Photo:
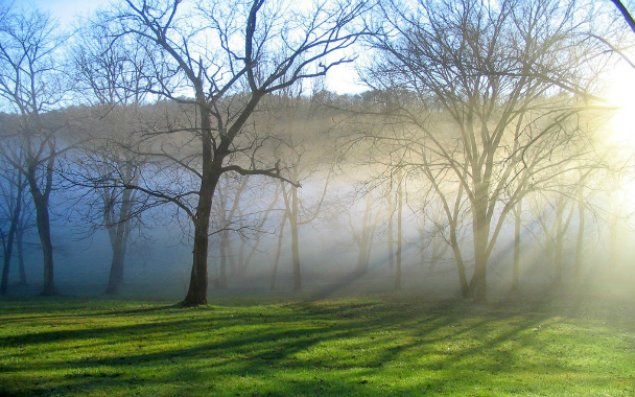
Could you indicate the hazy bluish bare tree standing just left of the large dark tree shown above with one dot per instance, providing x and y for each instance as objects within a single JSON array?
[{"x": 111, "y": 76}]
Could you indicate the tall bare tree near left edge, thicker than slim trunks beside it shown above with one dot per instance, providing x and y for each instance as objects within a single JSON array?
[{"x": 30, "y": 84}]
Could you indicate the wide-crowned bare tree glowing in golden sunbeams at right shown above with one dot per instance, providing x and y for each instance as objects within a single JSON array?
[{"x": 507, "y": 81}]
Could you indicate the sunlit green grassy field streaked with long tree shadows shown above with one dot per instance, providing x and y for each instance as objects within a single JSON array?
[{"x": 348, "y": 347}]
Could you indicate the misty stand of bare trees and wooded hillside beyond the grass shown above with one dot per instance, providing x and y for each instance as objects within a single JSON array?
[{"x": 481, "y": 157}]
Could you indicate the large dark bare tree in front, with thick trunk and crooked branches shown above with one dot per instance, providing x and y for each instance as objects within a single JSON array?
[{"x": 229, "y": 57}]
